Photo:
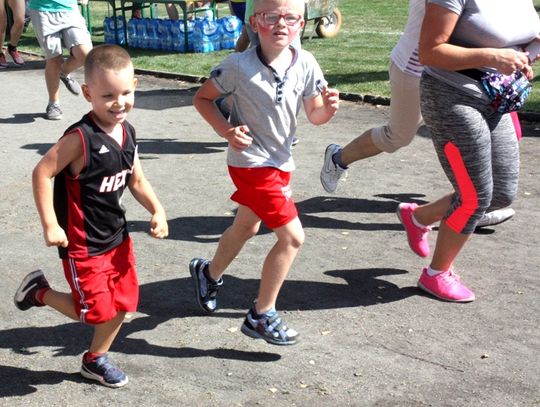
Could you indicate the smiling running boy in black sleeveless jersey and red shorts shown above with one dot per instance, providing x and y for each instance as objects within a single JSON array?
[{"x": 92, "y": 164}]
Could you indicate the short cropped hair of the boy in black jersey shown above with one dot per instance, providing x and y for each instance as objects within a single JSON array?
[{"x": 106, "y": 57}]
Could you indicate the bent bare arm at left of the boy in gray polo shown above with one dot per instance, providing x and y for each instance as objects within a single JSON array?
[{"x": 203, "y": 101}]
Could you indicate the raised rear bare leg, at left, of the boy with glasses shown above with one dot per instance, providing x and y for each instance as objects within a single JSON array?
[{"x": 245, "y": 226}]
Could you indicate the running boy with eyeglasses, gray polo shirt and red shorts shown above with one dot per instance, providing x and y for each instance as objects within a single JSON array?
[{"x": 268, "y": 84}]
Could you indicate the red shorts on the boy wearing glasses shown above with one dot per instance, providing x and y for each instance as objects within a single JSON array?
[{"x": 267, "y": 192}]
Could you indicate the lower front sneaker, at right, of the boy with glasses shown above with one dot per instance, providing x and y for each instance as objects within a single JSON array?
[{"x": 270, "y": 327}]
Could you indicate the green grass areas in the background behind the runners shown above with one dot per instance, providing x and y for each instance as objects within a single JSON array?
[{"x": 355, "y": 61}]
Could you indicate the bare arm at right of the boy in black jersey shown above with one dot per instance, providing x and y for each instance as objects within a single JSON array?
[{"x": 145, "y": 195}]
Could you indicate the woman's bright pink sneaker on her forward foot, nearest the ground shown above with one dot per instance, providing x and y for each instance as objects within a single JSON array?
[{"x": 445, "y": 286}]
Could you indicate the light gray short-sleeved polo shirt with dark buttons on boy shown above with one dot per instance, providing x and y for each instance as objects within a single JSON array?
[{"x": 268, "y": 103}]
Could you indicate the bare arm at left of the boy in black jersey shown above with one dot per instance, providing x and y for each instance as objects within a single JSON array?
[{"x": 66, "y": 152}]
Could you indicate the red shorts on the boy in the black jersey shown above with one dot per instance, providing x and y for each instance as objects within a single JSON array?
[{"x": 103, "y": 285}]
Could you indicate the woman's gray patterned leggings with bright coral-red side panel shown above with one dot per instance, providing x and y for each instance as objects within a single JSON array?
[{"x": 477, "y": 149}]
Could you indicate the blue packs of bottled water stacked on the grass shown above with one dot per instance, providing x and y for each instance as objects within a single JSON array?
[{"x": 204, "y": 34}]
